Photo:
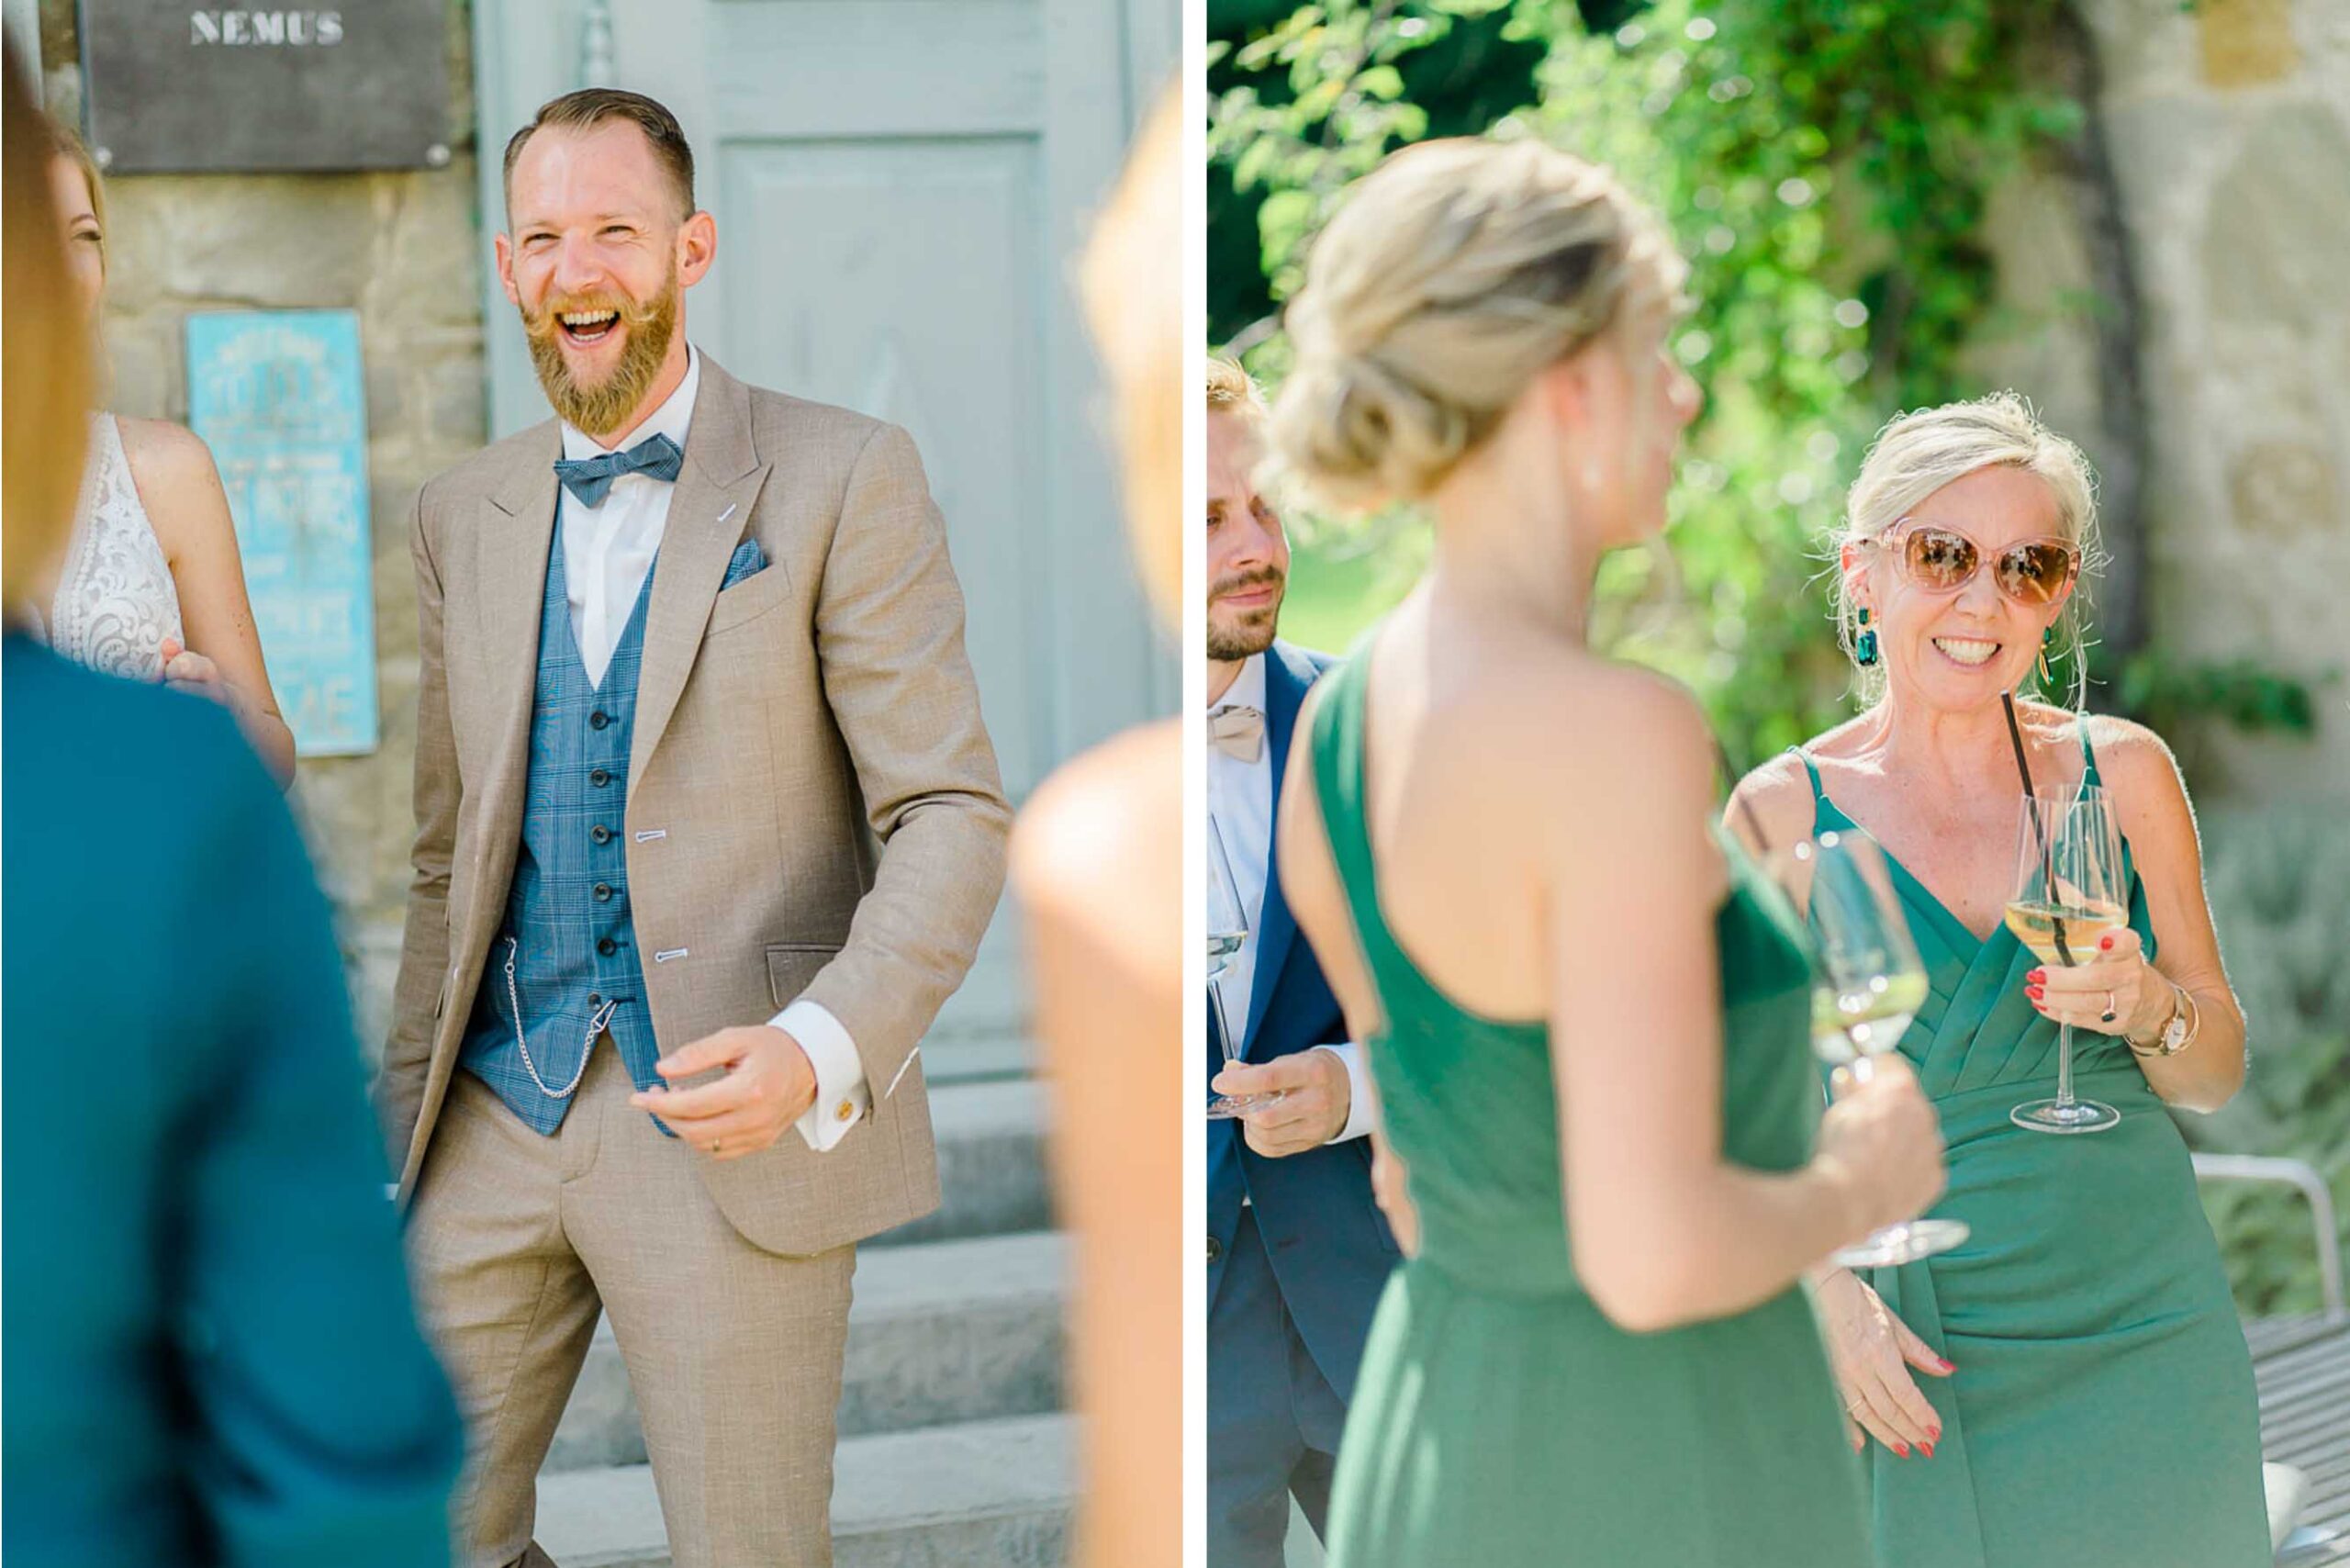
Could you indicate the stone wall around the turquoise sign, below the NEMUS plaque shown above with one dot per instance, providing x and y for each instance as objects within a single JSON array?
[{"x": 403, "y": 250}]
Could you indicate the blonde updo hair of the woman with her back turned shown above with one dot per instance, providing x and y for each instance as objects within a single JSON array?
[{"x": 1451, "y": 279}]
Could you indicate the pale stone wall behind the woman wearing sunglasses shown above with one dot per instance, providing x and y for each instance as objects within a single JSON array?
[{"x": 2229, "y": 130}]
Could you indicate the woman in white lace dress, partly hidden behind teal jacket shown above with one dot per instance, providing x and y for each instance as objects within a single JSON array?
[{"x": 152, "y": 587}]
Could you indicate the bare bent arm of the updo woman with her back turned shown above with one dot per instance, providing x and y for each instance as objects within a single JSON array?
[{"x": 1667, "y": 1231}]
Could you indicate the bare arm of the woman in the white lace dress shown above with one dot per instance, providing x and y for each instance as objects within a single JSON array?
[{"x": 184, "y": 502}]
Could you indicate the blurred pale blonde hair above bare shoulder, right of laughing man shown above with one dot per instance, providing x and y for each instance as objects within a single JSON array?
[{"x": 1132, "y": 281}]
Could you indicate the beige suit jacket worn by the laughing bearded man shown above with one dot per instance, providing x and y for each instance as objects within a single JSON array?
[{"x": 812, "y": 800}]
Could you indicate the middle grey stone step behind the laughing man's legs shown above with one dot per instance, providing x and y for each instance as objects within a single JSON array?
[{"x": 944, "y": 1332}]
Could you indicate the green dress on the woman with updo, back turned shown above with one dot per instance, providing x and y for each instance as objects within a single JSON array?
[{"x": 1500, "y": 1419}]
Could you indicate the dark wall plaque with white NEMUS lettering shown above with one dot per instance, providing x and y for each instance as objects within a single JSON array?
[{"x": 356, "y": 86}]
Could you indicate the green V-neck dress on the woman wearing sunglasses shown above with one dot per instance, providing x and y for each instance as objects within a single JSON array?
[{"x": 2102, "y": 1412}]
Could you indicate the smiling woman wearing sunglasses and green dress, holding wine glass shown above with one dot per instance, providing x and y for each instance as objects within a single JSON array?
[{"x": 2072, "y": 1386}]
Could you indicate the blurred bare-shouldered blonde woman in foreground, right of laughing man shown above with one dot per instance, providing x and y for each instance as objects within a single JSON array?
[{"x": 1096, "y": 864}]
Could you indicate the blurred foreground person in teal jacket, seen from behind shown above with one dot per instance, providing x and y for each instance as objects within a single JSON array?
[{"x": 210, "y": 1346}]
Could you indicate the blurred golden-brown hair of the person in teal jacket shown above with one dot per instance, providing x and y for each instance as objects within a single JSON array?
[{"x": 43, "y": 363}]
